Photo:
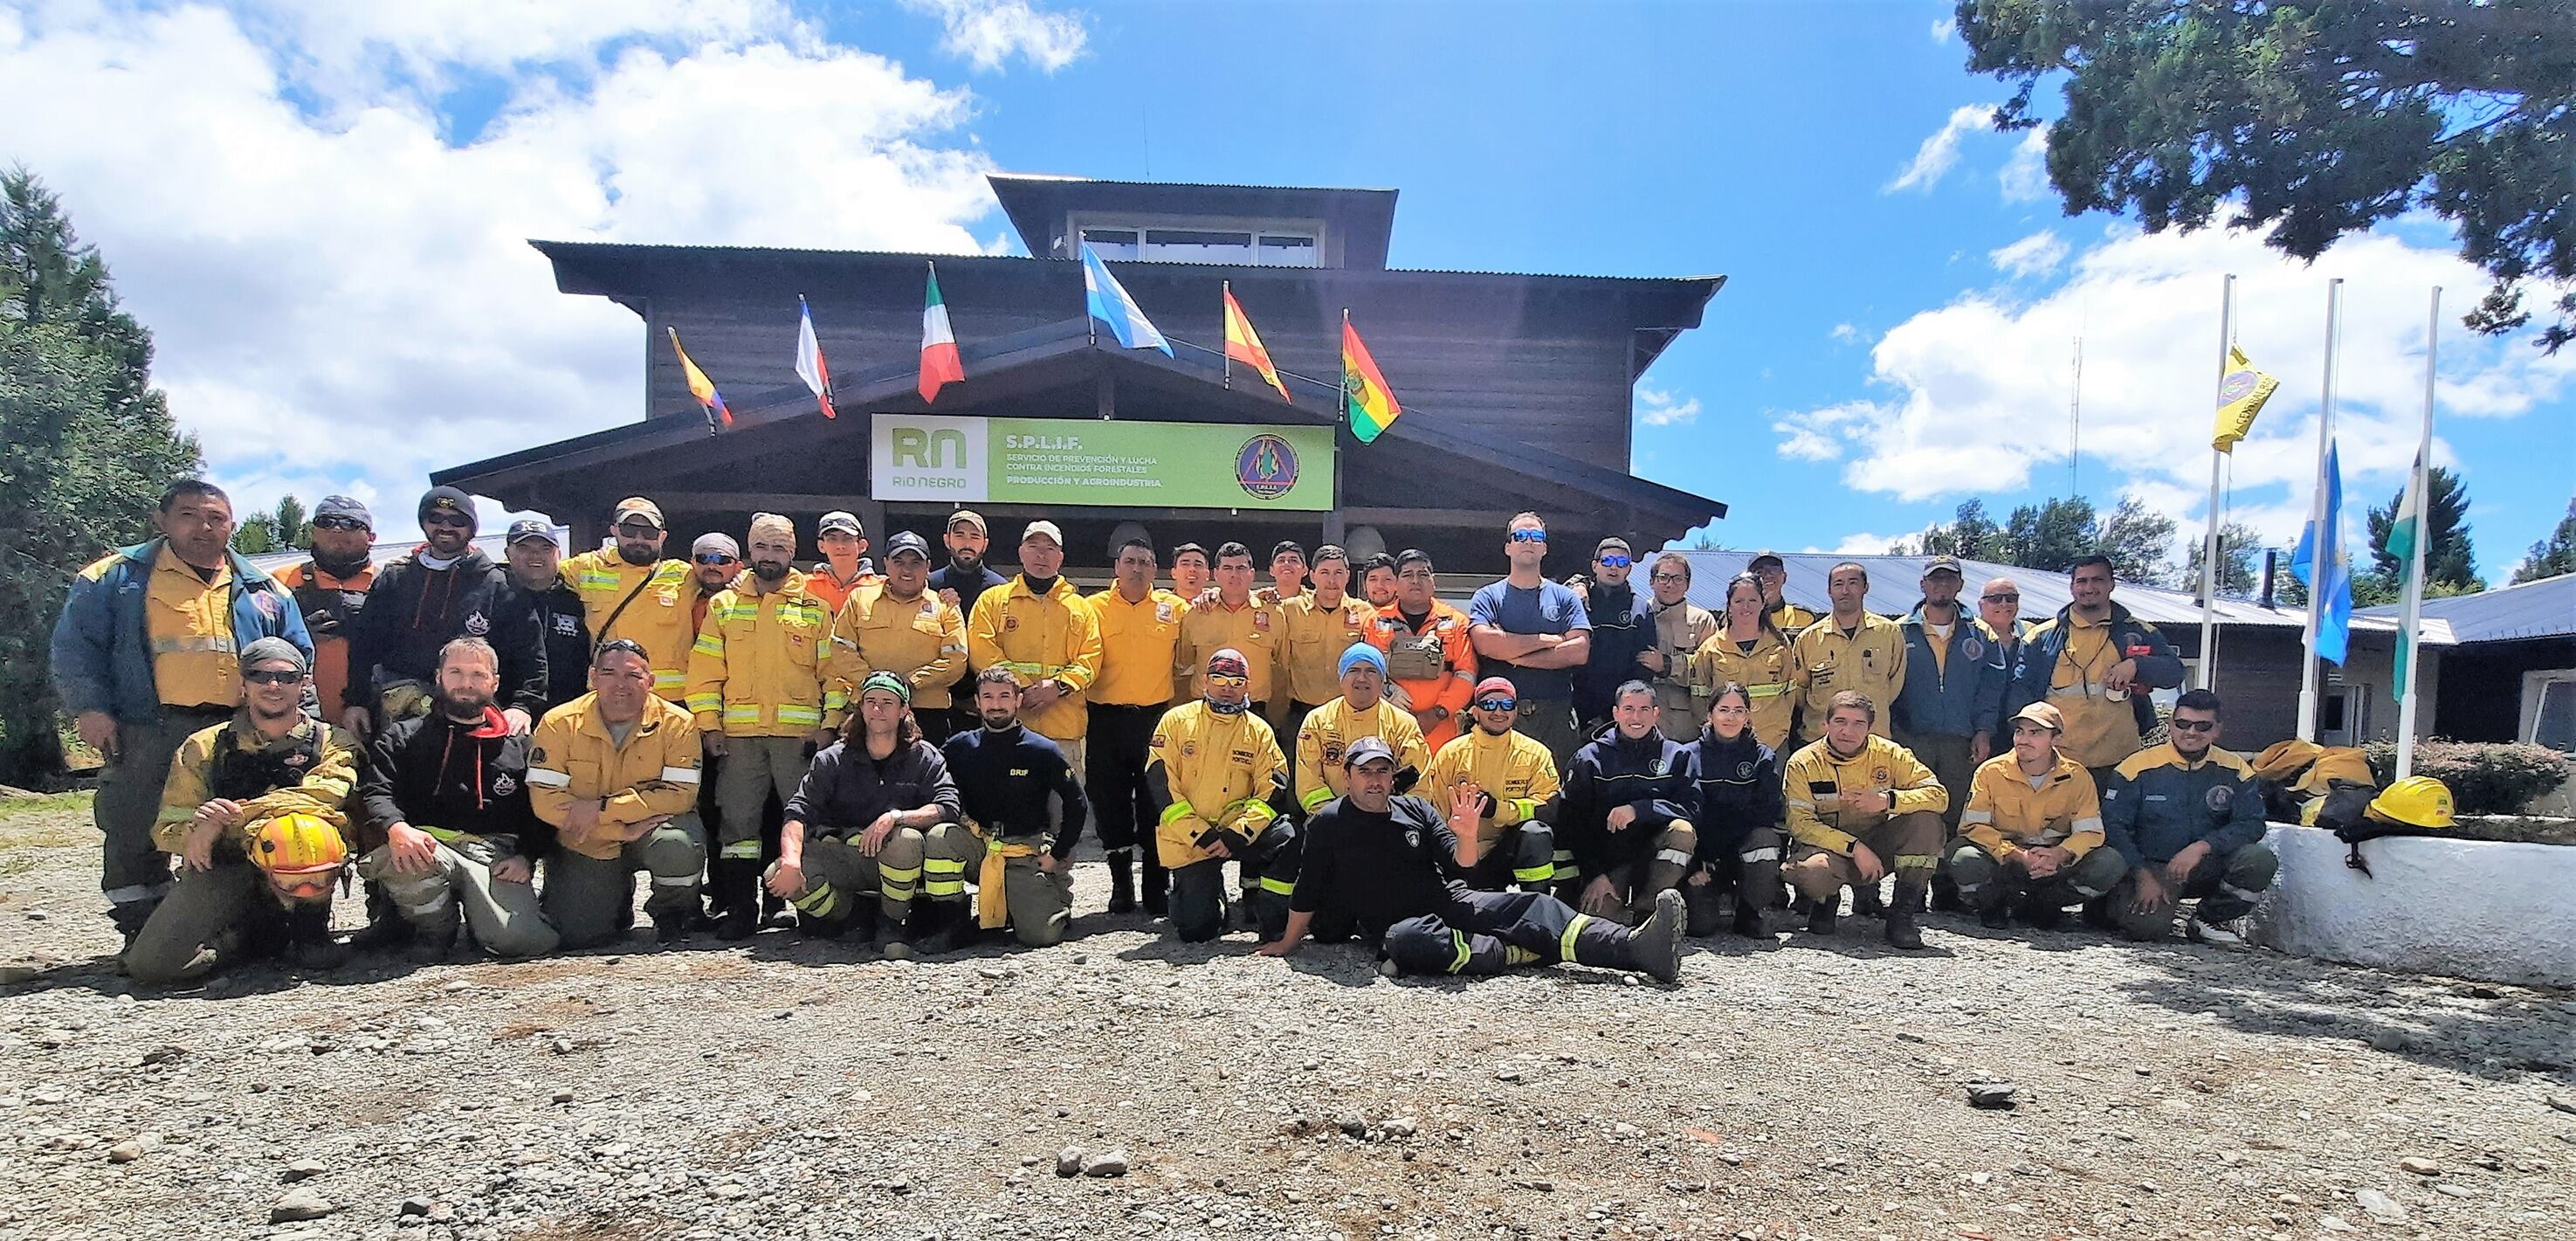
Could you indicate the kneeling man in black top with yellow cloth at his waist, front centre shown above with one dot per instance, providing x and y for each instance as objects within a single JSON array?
[{"x": 1024, "y": 815}]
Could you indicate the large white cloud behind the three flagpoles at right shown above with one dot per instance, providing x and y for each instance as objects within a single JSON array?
[{"x": 1977, "y": 390}]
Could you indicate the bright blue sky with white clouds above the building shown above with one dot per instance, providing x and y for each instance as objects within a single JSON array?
[{"x": 323, "y": 212}]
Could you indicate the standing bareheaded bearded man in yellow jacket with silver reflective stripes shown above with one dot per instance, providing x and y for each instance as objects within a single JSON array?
[{"x": 764, "y": 704}]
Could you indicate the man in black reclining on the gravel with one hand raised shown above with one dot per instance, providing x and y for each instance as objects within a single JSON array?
[{"x": 1395, "y": 872}]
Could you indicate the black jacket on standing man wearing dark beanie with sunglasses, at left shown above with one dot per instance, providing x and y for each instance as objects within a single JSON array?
[{"x": 413, "y": 611}]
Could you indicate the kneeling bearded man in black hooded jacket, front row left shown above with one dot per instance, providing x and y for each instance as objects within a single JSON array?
[{"x": 447, "y": 823}]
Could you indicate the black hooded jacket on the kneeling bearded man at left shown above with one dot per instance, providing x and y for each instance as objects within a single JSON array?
[{"x": 439, "y": 774}]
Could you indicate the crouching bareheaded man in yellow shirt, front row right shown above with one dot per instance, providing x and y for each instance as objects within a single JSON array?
[{"x": 1861, "y": 807}]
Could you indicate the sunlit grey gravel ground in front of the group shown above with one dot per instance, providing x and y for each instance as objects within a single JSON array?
[{"x": 815, "y": 1093}]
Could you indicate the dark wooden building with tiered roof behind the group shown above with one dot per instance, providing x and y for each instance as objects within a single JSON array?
[{"x": 1519, "y": 390}]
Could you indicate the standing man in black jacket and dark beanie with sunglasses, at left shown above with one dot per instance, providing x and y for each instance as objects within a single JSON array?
[{"x": 426, "y": 599}]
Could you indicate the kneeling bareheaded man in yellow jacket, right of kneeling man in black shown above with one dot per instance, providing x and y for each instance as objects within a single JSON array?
[{"x": 617, "y": 774}]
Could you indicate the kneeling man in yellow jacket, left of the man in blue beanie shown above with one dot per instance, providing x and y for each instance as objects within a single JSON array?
[{"x": 1222, "y": 787}]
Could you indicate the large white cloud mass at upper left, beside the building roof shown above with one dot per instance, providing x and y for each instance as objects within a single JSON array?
[{"x": 344, "y": 295}]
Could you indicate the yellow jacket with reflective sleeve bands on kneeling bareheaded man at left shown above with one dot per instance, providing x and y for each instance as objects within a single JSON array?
[{"x": 573, "y": 758}]
